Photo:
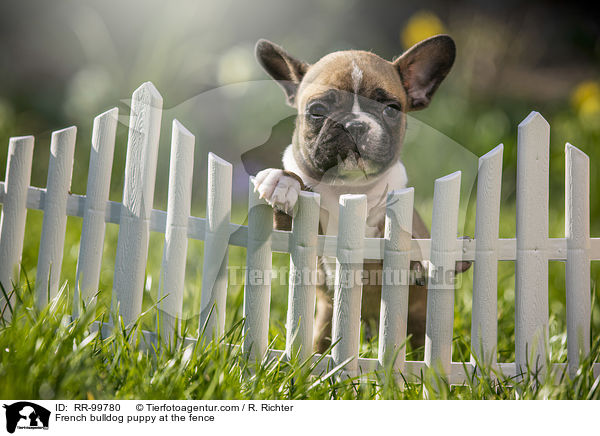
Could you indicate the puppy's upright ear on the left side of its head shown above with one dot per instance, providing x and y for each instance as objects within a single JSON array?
[{"x": 286, "y": 70}]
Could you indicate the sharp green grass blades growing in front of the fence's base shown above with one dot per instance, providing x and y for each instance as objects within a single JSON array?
[{"x": 47, "y": 355}]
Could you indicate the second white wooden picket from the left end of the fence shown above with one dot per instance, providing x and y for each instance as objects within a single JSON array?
[{"x": 54, "y": 224}]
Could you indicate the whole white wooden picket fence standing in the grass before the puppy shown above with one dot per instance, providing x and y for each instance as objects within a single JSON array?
[{"x": 531, "y": 249}]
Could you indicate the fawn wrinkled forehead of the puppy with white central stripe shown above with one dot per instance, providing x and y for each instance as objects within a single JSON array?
[{"x": 355, "y": 72}]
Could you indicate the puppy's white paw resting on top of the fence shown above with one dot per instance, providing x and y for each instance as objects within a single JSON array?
[{"x": 278, "y": 189}]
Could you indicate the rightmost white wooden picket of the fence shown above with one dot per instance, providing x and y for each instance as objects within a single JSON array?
[{"x": 577, "y": 232}]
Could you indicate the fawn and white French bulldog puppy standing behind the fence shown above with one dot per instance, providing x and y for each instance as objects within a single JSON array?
[{"x": 349, "y": 131}]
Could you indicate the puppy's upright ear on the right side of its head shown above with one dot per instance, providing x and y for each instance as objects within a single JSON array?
[{"x": 423, "y": 67}]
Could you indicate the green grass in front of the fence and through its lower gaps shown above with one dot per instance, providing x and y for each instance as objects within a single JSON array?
[{"x": 47, "y": 355}]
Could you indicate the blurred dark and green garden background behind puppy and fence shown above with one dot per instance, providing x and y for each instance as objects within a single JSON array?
[{"x": 63, "y": 62}]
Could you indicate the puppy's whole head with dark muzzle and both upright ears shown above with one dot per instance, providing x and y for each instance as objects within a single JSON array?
[{"x": 352, "y": 104}]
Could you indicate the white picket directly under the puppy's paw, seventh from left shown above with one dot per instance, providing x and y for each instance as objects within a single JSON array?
[{"x": 257, "y": 290}]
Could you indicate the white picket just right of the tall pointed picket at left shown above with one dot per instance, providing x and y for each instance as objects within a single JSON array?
[{"x": 172, "y": 274}]
